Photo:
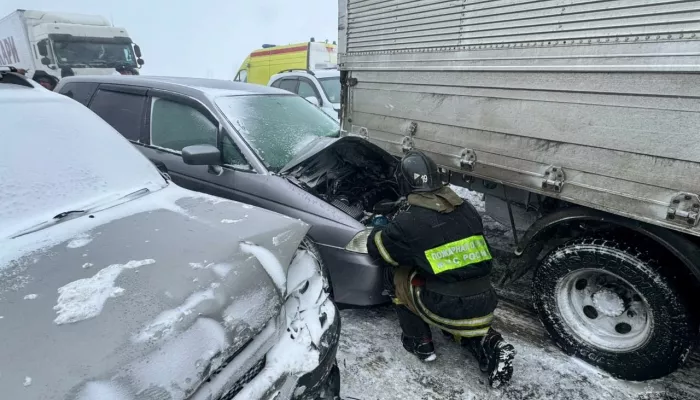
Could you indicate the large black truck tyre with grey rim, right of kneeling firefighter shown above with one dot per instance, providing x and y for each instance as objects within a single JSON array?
[{"x": 615, "y": 307}]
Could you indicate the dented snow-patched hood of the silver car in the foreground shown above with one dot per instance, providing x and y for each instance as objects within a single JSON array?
[{"x": 148, "y": 298}]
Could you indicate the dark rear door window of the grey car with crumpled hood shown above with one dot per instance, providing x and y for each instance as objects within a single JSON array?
[{"x": 124, "y": 111}]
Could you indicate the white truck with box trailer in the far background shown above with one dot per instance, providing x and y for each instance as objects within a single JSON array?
[{"x": 63, "y": 44}]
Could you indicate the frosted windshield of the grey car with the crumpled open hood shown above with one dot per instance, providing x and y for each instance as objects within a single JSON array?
[{"x": 277, "y": 127}]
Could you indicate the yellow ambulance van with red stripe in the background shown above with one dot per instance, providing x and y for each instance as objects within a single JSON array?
[{"x": 261, "y": 64}]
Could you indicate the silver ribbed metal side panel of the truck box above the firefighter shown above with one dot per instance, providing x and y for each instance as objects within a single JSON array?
[{"x": 607, "y": 91}]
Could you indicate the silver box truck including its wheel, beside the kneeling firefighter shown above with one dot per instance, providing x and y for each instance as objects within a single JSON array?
[{"x": 579, "y": 121}]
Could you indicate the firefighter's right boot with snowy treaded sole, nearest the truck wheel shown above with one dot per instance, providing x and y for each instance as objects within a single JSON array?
[{"x": 495, "y": 357}]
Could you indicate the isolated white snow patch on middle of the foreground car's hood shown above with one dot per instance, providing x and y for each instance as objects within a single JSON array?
[{"x": 85, "y": 298}]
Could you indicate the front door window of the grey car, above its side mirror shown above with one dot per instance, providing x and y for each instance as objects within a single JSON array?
[{"x": 175, "y": 126}]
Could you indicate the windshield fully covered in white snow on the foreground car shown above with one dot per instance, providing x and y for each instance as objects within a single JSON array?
[{"x": 57, "y": 156}]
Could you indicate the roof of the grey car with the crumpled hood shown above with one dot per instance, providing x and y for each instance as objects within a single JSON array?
[{"x": 192, "y": 86}]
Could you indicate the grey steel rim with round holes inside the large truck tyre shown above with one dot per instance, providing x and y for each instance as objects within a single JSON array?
[{"x": 604, "y": 310}]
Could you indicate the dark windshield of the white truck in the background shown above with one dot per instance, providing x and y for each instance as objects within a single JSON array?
[{"x": 93, "y": 54}]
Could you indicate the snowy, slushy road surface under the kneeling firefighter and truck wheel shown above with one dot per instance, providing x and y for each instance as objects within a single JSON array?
[{"x": 374, "y": 365}]
